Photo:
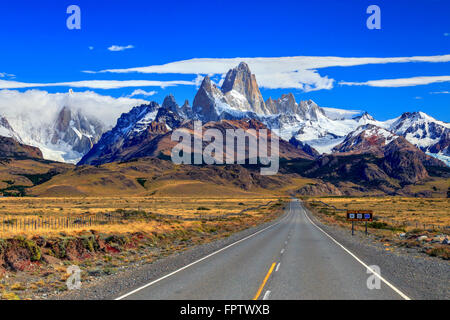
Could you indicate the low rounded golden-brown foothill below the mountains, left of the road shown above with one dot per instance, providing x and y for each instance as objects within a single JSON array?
[{"x": 148, "y": 176}]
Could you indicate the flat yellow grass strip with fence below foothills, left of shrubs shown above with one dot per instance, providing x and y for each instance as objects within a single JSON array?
[{"x": 20, "y": 210}]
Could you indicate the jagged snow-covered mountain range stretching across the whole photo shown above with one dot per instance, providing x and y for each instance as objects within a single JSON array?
[{"x": 71, "y": 135}]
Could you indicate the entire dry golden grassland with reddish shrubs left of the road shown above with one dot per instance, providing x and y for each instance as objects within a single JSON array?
[{"x": 137, "y": 238}]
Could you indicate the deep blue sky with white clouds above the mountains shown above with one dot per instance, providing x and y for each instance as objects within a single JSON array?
[{"x": 37, "y": 47}]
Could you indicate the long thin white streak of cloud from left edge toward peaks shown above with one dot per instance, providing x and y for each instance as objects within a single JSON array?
[{"x": 95, "y": 84}]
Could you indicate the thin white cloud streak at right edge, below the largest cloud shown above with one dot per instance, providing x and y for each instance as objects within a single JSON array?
[{"x": 402, "y": 82}]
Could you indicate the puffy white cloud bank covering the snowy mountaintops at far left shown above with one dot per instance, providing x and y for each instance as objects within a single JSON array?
[{"x": 42, "y": 106}]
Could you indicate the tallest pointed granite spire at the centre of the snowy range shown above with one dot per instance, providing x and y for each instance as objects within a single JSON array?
[{"x": 242, "y": 91}]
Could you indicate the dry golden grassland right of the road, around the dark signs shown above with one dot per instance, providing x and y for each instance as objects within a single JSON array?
[{"x": 414, "y": 223}]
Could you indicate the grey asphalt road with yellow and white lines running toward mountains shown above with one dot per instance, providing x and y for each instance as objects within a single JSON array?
[{"x": 292, "y": 259}]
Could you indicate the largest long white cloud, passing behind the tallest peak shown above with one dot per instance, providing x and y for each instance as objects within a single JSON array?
[{"x": 283, "y": 72}]
